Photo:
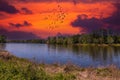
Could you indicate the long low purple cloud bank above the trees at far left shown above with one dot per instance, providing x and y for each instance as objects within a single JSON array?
[{"x": 17, "y": 35}]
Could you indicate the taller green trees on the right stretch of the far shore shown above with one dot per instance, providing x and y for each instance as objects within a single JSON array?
[{"x": 102, "y": 36}]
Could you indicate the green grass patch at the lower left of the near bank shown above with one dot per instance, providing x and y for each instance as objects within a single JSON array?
[{"x": 21, "y": 69}]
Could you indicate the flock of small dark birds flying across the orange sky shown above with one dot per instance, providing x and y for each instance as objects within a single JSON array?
[{"x": 57, "y": 16}]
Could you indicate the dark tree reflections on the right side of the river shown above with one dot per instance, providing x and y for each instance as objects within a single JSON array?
[{"x": 100, "y": 55}]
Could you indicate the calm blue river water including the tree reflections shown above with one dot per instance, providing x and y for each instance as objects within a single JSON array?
[{"x": 81, "y": 56}]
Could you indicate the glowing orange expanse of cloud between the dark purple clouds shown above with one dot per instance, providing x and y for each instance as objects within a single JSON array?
[{"x": 46, "y": 18}]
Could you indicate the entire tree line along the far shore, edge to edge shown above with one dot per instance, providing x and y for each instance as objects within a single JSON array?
[{"x": 102, "y": 36}]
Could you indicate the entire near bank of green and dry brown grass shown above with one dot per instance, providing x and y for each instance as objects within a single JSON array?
[{"x": 13, "y": 68}]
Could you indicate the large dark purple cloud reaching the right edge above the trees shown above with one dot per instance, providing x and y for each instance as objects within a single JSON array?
[{"x": 91, "y": 24}]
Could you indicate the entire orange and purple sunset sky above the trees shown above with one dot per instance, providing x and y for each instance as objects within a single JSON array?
[{"x": 31, "y": 19}]
